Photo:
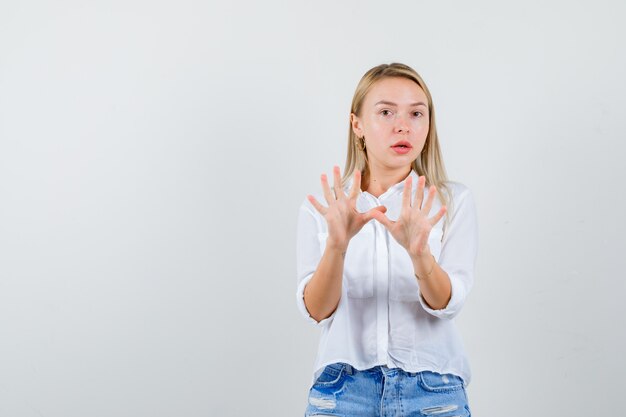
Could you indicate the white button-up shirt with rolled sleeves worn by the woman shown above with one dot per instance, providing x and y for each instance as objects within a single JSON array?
[{"x": 381, "y": 318}]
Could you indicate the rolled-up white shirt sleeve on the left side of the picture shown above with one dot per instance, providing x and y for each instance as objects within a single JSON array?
[{"x": 308, "y": 255}]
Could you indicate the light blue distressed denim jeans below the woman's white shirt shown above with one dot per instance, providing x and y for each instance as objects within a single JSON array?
[{"x": 342, "y": 390}]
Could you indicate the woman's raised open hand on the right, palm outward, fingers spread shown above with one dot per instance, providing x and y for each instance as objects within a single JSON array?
[{"x": 413, "y": 226}]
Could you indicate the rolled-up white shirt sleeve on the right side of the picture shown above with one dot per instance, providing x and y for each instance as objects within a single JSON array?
[{"x": 458, "y": 254}]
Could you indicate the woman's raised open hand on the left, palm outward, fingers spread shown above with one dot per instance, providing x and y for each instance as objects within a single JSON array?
[{"x": 342, "y": 217}]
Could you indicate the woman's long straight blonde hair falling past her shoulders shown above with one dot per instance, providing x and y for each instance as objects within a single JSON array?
[{"x": 430, "y": 161}]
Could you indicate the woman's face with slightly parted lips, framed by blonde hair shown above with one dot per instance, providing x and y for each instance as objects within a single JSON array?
[{"x": 394, "y": 122}]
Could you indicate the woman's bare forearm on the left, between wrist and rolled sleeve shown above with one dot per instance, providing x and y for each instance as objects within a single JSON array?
[{"x": 322, "y": 293}]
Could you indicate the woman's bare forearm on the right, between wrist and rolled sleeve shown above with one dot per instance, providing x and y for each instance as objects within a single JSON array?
[{"x": 435, "y": 286}]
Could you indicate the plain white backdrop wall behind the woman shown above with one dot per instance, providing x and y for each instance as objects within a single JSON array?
[{"x": 153, "y": 156}]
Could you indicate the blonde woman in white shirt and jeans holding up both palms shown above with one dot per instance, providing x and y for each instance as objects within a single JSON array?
[{"x": 386, "y": 260}]
